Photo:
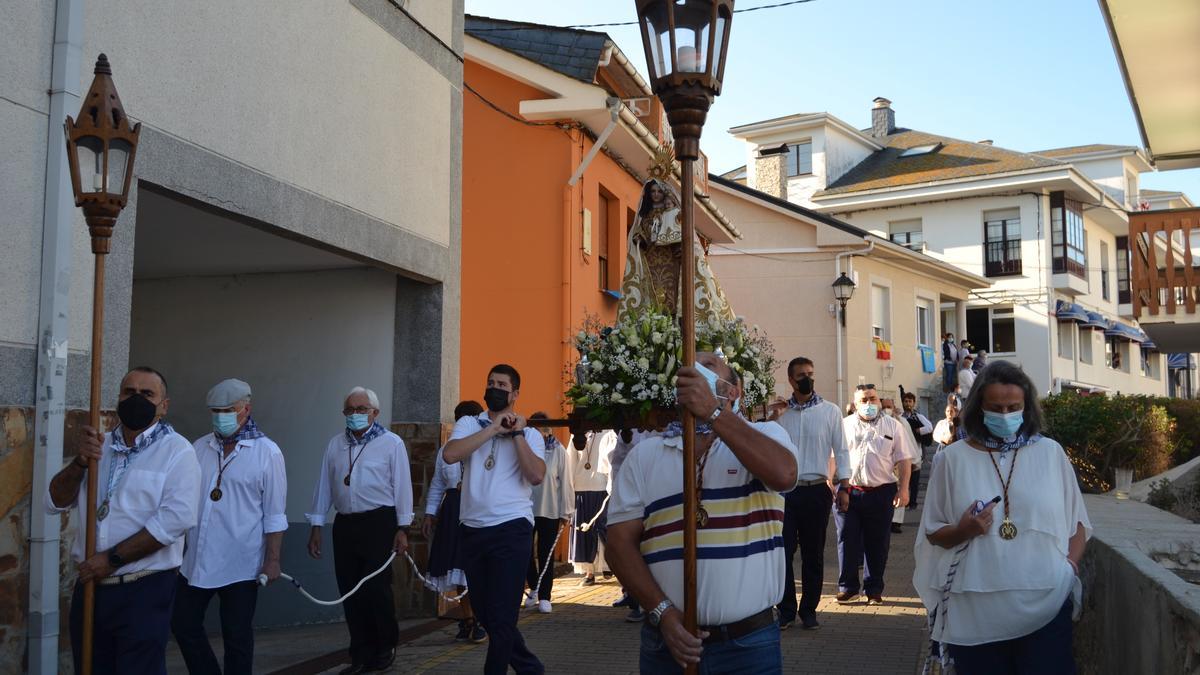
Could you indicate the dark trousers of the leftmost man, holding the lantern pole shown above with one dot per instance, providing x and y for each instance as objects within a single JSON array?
[{"x": 130, "y": 626}]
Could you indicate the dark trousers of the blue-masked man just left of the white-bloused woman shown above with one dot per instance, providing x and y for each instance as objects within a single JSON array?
[{"x": 865, "y": 531}]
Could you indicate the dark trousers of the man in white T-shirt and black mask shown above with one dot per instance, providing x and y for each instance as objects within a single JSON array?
[{"x": 496, "y": 560}]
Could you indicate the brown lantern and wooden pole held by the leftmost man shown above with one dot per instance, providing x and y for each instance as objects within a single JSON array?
[{"x": 104, "y": 144}]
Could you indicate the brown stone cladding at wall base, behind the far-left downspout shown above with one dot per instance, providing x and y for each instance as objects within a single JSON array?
[{"x": 16, "y": 505}]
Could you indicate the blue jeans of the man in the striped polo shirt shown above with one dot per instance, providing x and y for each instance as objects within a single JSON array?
[{"x": 757, "y": 654}]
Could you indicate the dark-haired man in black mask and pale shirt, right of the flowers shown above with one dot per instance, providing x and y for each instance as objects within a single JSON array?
[{"x": 815, "y": 428}]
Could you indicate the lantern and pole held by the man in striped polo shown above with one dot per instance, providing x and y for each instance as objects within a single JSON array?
[{"x": 686, "y": 45}]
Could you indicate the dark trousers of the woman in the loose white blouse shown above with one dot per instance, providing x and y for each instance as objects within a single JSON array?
[{"x": 1046, "y": 652}]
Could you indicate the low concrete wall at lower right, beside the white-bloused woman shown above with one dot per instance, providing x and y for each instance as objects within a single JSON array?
[{"x": 1138, "y": 617}]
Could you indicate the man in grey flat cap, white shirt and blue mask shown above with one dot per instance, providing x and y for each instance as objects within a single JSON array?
[{"x": 241, "y": 530}]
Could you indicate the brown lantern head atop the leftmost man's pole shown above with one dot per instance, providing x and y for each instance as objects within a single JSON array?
[{"x": 101, "y": 146}]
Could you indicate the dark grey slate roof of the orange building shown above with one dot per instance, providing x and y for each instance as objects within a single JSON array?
[{"x": 572, "y": 52}]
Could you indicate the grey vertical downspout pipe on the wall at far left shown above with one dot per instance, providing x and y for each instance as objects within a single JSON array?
[{"x": 55, "y": 304}]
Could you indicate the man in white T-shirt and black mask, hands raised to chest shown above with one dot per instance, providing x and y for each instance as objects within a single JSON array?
[{"x": 503, "y": 459}]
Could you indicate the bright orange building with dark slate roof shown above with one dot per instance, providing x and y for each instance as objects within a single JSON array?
[{"x": 541, "y": 254}]
